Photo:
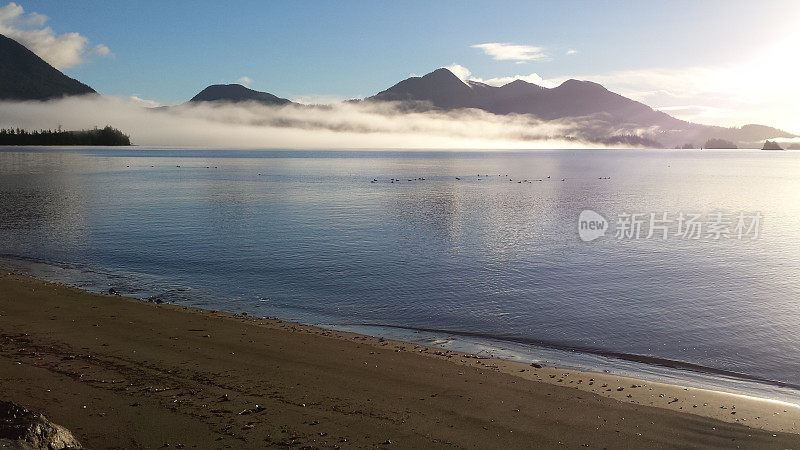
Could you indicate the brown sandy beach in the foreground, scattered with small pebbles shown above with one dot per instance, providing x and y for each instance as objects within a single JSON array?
[{"x": 123, "y": 373}]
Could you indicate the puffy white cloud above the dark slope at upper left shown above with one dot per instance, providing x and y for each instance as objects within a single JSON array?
[{"x": 61, "y": 51}]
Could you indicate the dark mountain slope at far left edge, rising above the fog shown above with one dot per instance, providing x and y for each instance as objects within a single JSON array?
[{"x": 25, "y": 76}]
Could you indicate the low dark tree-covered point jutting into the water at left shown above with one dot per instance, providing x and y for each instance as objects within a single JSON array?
[{"x": 98, "y": 136}]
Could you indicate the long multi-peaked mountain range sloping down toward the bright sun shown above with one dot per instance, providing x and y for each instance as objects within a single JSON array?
[{"x": 586, "y": 103}]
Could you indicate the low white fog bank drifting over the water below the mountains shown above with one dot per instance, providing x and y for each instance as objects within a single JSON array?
[{"x": 341, "y": 126}]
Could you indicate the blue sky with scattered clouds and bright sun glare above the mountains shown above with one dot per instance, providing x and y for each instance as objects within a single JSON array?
[{"x": 716, "y": 62}]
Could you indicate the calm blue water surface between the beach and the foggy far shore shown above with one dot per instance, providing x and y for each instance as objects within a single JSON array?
[{"x": 460, "y": 252}]
